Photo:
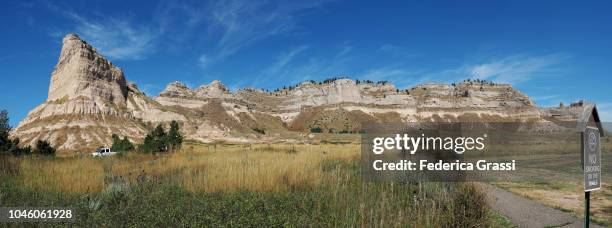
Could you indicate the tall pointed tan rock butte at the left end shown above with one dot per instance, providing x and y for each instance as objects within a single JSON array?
[{"x": 87, "y": 102}]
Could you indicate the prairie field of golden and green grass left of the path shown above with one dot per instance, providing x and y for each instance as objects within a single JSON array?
[{"x": 237, "y": 185}]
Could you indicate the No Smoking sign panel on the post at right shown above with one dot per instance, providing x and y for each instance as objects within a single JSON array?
[{"x": 591, "y": 159}]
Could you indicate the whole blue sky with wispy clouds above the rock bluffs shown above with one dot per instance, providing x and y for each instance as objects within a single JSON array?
[{"x": 552, "y": 50}]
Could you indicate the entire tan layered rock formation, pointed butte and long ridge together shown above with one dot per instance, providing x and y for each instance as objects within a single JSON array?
[{"x": 90, "y": 99}]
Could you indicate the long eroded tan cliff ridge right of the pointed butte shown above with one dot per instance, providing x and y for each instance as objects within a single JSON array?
[{"x": 343, "y": 105}]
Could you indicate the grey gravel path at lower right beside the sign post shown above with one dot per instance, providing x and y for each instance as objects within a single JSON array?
[{"x": 528, "y": 213}]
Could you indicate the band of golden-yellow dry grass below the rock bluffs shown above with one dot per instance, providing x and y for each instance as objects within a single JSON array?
[{"x": 198, "y": 167}]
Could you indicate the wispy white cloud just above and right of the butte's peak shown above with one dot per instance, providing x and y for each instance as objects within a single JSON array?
[{"x": 118, "y": 38}]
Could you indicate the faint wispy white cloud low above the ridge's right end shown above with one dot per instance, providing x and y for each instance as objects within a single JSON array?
[{"x": 518, "y": 68}]
